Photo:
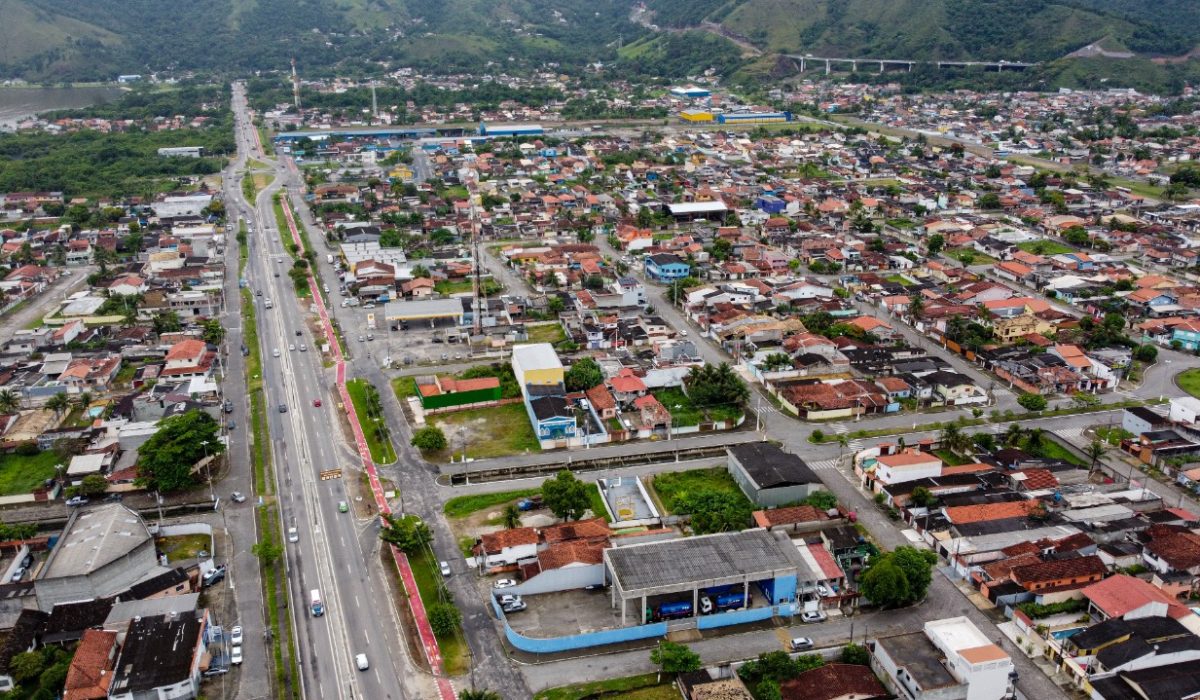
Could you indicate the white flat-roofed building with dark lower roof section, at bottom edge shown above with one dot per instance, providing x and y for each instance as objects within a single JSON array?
[{"x": 951, "y": 660}]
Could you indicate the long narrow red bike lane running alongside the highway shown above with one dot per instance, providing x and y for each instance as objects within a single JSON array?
[{"x": 429, "y": 642}]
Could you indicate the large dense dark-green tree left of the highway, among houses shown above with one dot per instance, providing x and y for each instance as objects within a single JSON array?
[{"x": 166, "y": 460}]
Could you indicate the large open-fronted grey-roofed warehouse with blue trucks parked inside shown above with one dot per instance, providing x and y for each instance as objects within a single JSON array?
[{"x": 673, "y": 573}]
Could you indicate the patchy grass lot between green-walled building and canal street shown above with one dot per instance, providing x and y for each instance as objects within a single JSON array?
[{"x": 499, "y": 432}]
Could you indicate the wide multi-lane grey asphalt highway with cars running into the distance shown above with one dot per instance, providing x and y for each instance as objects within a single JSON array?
[{"x": 338, "y": 554}]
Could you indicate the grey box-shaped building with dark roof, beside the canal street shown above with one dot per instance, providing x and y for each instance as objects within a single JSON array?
[{"x": 770, "y": 477}]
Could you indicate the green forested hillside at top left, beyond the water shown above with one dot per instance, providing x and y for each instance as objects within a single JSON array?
[{"x": 58, "y": 40}]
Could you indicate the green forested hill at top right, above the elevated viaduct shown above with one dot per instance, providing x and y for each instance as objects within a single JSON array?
[{"x": 1034, "y": 31}]
